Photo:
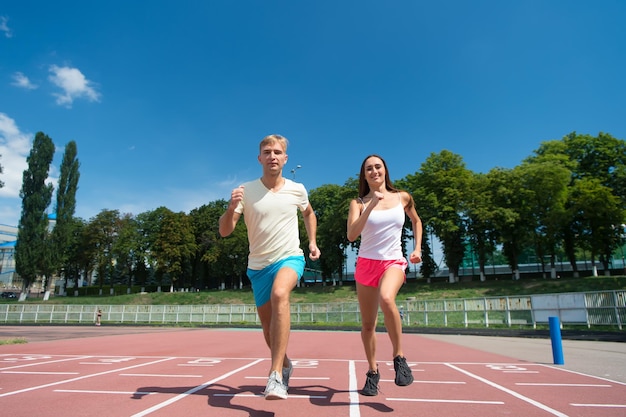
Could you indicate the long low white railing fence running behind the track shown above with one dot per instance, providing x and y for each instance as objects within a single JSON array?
[{"x": 603, "y": 308}]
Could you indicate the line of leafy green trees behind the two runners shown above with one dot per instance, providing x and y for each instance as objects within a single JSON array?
[{"x": 568, "y": 196}]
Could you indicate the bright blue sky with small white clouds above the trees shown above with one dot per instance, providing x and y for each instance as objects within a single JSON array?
[{"x": 168, "y": 100}]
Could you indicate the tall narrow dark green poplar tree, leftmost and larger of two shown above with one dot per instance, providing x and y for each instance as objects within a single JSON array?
[{"x": 32, "y": 252}]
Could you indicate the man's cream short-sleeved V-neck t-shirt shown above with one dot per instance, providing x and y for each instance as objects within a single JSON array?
[{"x": 272, "y": 221}]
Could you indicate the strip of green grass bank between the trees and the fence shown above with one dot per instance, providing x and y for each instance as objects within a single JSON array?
[{"x": 347, "y": 293}]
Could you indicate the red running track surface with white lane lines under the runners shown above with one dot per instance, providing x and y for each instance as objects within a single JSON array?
[{"x": 223, "y": 373}]
